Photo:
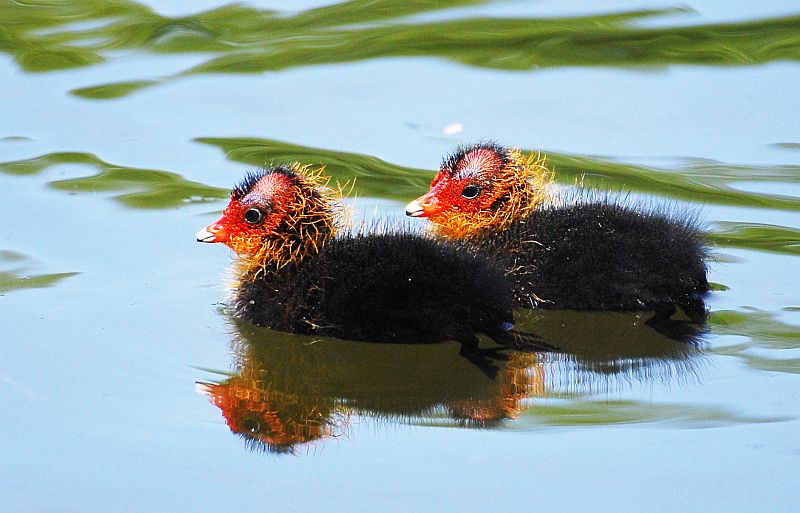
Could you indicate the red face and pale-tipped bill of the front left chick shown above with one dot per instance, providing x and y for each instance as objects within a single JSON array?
[{"x": 251, "y": 217}]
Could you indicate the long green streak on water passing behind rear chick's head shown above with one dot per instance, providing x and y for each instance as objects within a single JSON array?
[{"x": 697, "y": 181}]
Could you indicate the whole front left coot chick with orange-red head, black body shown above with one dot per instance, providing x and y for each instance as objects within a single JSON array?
[{"x": 296, "y": 275}]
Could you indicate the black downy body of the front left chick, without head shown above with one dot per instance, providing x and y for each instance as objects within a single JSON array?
[{"x": 387, "y": 287}]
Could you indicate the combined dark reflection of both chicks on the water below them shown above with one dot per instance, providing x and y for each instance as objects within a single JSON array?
[{"x": 288, "y": 391}]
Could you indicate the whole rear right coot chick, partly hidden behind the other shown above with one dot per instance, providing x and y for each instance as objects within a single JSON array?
[{"x": 585, "y": 254}]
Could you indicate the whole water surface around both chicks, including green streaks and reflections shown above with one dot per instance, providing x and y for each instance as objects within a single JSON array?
[{"x": 122, "y": 377}]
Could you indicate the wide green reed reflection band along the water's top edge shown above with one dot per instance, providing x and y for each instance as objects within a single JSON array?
[{"x": 42, "y": 36}]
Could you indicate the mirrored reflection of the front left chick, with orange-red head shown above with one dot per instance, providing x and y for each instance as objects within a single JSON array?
[{"x": 288, "y": 390}]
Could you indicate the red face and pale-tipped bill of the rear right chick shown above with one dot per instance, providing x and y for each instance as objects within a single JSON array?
[{"x": 467, "y": 185}]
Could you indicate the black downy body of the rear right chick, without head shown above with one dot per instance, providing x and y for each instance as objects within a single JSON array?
[{"x": 601, "y": 255}]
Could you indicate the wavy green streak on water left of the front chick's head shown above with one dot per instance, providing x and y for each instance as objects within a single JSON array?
[{"x": 138, "y": 188}]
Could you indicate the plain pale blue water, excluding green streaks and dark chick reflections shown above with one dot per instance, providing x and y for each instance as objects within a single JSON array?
[{"x": 98, "y": 408}]
